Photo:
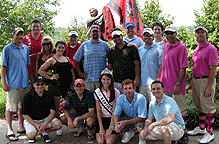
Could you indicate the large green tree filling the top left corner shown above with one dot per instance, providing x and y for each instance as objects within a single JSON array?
[{"x": 20, "y": 13}]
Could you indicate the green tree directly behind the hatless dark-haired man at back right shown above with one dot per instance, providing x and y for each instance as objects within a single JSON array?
[{"x": 151, "y": 12}]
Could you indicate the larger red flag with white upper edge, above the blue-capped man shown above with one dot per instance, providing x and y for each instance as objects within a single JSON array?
[{"x": 128, "y": 12}]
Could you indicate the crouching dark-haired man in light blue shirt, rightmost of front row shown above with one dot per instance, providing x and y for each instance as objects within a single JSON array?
[{"x": 169, "y": 123}]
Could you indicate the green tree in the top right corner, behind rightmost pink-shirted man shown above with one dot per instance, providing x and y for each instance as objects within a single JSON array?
[{"x": 209, "y": 17}]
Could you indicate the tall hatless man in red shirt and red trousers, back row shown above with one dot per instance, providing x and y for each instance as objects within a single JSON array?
[{"x": 33, "y": 41}]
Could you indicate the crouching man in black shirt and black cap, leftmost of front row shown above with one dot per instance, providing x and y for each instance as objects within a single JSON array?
[{"x": 38, "y": 110}]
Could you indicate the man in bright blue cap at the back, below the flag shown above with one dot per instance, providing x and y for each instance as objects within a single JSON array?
[{"x": 131, "y": 37}]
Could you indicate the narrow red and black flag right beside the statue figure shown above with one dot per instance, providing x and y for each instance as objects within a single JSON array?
[{"x": 108, "y": 24}]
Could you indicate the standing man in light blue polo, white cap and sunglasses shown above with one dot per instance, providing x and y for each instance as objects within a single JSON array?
[{"x": 151, "y": 57}]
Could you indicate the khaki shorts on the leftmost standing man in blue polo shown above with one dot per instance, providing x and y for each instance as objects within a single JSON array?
[{"x": 14, "y": 98}]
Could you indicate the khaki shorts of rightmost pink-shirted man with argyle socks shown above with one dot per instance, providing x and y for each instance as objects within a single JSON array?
[{"x": 204, "y": 104}]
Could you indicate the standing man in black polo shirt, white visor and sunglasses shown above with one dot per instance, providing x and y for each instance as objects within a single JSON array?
[{"x": 123, "y": 60}]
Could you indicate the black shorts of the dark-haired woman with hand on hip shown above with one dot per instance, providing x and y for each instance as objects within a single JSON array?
[{"x": 58, "y": 91}]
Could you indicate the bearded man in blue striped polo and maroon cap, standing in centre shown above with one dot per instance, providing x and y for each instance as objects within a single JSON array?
[{"x": 94, "y": 53}]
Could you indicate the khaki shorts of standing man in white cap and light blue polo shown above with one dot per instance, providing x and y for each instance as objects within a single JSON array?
[{"x": 146, "y": 91}]
